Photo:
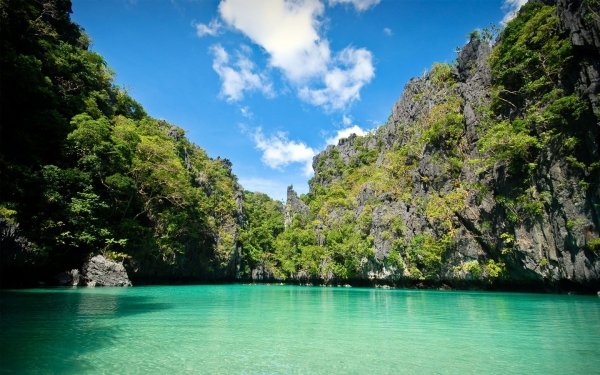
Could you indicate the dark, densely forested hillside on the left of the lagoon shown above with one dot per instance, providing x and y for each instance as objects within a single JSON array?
[{"x": 84, "y": 170}]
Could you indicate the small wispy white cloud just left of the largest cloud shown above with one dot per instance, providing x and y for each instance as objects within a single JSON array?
[{"x": 239, "y": 76}]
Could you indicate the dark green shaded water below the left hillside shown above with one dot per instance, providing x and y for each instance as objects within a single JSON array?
[{"x": 42, "y": 329}]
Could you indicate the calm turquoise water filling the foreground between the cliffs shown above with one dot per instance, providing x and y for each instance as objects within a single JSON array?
[{"x": 260, "y": 329}]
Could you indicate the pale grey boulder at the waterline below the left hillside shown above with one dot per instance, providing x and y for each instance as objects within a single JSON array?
[{"x": 99, "y": 271}]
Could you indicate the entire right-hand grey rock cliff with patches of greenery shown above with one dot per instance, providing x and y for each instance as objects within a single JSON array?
[{"x": 470, "y": 180}]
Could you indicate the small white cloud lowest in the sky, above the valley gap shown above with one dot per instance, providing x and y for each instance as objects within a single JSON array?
[{"x": 279, "y": 151}]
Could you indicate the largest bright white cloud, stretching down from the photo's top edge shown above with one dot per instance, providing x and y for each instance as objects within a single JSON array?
[{"x": 288, "y": 30}]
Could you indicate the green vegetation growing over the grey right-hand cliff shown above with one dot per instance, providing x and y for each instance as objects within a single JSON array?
[{"x": 529, "y": 113}]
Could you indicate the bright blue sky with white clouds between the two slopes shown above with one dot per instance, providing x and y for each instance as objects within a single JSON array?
[{"x": 268, "y": 84}]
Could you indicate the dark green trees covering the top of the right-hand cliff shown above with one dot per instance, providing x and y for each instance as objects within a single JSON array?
[{"x": 528, "y": 65}]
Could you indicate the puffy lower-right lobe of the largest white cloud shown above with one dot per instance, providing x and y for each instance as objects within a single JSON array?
[{"x": 343, "y": 82}]
